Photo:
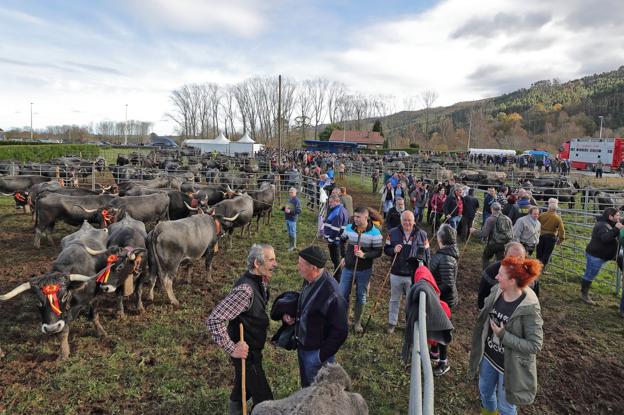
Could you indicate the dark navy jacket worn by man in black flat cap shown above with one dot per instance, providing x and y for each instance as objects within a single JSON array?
[{"x": 322, "y": 318}]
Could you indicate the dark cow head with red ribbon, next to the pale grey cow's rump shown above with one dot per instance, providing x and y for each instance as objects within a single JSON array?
[{"x": 126, "y": 263}]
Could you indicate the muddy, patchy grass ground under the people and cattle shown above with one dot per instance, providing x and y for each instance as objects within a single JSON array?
[{"x": 158, "y": 362}]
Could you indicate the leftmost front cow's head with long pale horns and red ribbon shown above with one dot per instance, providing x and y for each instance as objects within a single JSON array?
[{"x": 53, "y": 292}]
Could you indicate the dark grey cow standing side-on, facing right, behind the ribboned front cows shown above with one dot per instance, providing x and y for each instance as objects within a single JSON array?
[{"x": 73, "y": 210}]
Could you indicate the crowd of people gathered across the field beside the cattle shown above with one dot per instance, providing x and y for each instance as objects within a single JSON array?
[{"x": 508, "y": 331}]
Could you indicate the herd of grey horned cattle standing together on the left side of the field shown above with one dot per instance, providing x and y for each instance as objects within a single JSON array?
[{"x": 118, "y": 255}]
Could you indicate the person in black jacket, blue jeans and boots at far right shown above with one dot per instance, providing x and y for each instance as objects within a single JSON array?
[{"x": 601, "y": 248}]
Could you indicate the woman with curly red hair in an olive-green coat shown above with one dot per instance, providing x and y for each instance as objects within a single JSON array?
[{"x": 506, "y": 339}]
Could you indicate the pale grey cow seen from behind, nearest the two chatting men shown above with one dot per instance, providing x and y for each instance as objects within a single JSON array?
[{"x": 179, "y": 242}]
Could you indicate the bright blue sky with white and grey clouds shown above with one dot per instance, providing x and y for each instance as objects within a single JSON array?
[{"x": 79, "y": 62}]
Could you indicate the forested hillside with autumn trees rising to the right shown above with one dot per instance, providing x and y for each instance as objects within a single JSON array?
[{"x": 544, "y": 115}]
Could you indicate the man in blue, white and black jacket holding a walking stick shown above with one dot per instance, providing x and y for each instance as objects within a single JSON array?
[{"x": 364, "y": 244}]
